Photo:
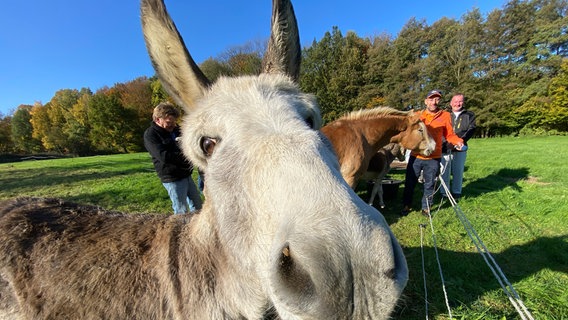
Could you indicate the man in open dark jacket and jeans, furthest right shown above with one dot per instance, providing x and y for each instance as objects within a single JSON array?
[{"x": 453, "y": 160}]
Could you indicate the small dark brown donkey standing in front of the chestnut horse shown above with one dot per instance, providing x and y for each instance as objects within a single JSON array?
[{"x": 379, "y": 166}]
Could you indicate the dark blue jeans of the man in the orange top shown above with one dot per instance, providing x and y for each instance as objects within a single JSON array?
[{"x": 430, "y": 170}]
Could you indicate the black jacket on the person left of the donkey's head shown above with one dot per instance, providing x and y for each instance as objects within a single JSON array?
[{"x": 169, "y": 162}]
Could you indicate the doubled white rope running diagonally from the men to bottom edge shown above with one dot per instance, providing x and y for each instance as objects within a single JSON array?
[{"x": 491, "y": 263}]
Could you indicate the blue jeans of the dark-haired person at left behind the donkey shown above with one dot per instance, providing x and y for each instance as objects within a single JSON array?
[{"x": 184, "y": 195}]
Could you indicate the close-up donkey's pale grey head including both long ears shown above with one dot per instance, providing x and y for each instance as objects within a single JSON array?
[{"x": 294, "y": 236}]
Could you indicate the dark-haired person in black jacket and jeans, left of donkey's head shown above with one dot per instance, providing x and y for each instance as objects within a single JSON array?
[{"x": 173, "y": 169}]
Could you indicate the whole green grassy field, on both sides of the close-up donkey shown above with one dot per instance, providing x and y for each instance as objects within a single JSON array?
[{"x": 515, "y": 195}]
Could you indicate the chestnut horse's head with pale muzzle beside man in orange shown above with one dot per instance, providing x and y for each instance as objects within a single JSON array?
[{"x": 416, "y": 136}]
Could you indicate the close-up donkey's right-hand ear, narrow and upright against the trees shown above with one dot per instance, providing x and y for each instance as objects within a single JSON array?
[{"x": 283, "y": 53}]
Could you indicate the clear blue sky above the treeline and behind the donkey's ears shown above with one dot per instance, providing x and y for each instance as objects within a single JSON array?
[{"x": 46, "y": 46}]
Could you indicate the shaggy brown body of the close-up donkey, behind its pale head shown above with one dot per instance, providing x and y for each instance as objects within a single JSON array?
[{"x": 60, "y": 260}]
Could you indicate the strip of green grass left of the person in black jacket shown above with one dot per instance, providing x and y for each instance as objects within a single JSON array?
[{"x": 124, "y": 182}]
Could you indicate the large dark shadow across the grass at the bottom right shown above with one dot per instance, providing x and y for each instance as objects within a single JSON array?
[{"x": 467, "y": 276}]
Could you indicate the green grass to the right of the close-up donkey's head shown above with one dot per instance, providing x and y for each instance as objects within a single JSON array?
[{"x": 516, "y": 198}]
